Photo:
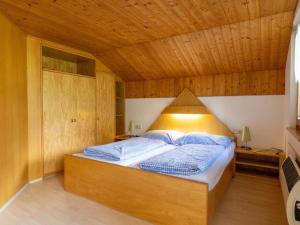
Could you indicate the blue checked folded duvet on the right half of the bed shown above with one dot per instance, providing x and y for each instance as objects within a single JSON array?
[{"x": 187, "y": 160}]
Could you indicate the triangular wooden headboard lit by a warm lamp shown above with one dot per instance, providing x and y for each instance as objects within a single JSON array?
[{"x": 187, "y": 113}]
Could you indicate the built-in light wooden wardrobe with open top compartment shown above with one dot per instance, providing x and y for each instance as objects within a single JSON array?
[{"x": 71, "y": 104}]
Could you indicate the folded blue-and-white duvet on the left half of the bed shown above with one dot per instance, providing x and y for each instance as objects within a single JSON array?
[{"x": 123, "y": 149}]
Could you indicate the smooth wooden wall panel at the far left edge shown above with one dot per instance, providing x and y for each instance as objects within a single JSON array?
[{"x": 13, "y": 110}]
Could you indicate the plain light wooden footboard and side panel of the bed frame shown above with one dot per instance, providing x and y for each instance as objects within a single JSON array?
[{"x": 158, "y": 198}]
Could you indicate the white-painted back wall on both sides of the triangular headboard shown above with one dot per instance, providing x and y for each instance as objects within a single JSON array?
[{"x": 263, "y": 114}]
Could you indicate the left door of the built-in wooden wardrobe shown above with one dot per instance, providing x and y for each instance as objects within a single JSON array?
[{"x": 59, "y": 112}]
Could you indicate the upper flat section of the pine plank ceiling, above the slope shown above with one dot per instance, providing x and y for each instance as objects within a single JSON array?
[{"x": 117, "y": 23}]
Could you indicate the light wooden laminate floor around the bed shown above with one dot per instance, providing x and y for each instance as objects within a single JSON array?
[{"x": 249, "y": 201}]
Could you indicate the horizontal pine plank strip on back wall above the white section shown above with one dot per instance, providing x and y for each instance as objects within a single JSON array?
[{"x": 247, "y": 83}]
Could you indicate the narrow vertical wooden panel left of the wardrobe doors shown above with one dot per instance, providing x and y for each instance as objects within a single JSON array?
[{"x": 35, "y": 110}]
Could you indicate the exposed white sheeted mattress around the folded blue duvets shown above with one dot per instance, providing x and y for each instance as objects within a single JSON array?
[{"x": 211, "y": 176}]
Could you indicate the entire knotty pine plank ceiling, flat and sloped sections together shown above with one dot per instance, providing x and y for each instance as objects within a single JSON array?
[{"x": 154, "y": 39}]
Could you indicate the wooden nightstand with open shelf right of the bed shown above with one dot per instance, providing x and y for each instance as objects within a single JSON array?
[{"x": 259, "y": 161}]
